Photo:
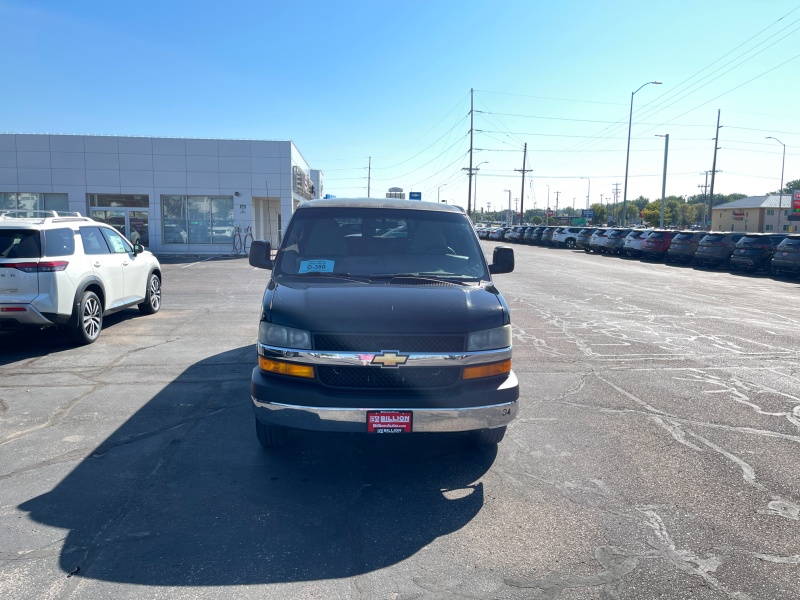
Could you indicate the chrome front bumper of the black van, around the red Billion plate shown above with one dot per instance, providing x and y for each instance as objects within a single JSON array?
[{"x": 355, "y": 419}]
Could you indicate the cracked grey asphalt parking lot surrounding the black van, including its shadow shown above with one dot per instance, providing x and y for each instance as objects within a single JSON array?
[{"x": 656, "y": 453}]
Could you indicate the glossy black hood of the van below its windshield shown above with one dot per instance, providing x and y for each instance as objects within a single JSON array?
[{"x": 385, "y": 308}]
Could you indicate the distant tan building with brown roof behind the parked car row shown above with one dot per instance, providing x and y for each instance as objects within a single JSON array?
[{"x": 755, "y": 214}]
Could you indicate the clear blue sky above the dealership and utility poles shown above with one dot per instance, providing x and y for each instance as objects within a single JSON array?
[{"x": 391, "y": 80}]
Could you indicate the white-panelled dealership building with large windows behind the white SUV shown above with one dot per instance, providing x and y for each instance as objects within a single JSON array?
[{"x": 174, "y": 195}]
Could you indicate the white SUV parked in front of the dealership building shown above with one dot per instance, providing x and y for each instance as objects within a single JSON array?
[{"x": 70, "y": 271}]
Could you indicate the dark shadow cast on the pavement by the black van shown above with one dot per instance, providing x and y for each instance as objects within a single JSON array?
[{"x": 182, "y": 494}]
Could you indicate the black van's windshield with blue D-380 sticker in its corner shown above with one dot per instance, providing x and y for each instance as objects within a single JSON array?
[{"x": 380, "y": 243}]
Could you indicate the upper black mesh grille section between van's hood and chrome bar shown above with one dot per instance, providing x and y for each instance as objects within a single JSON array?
[{"x": 401, "y": 343}]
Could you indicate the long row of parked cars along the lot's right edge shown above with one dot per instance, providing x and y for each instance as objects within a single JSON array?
[{"x": 776, "y": 253}]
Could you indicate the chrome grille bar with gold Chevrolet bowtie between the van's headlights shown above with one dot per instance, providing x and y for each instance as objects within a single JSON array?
[{"x": 415, "y": 359}]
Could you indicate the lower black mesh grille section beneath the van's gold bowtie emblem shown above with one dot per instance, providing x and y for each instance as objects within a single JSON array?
[{"x": 408, "y": 378}]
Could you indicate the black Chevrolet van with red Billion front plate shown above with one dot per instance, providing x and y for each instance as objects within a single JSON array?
[{"x": 381, "y": 316}]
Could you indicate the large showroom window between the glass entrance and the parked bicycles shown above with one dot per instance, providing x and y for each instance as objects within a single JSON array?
[{"x": 197, "y": 219}]
